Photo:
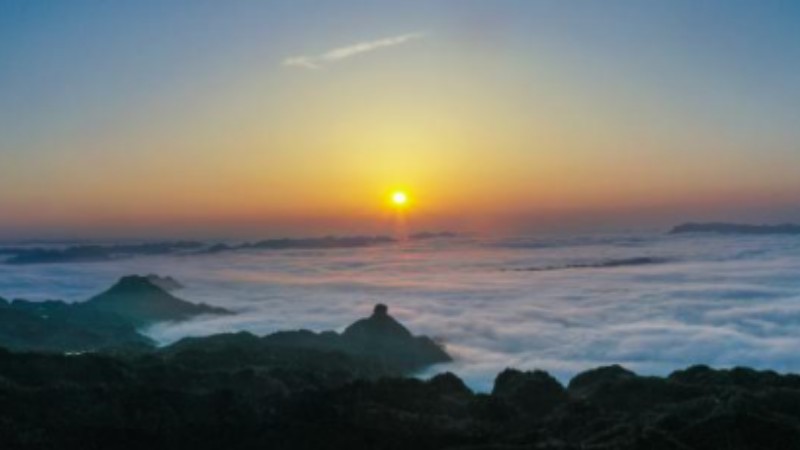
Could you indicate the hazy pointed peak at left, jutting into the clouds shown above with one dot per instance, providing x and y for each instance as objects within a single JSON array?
[{"x": 141, "y": 301}]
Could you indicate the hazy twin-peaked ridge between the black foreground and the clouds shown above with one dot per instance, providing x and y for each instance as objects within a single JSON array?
[{"x": 377, "y": 345}]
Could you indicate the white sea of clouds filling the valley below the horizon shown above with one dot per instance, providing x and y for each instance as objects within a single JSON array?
[{"x": 716, "y": 300}]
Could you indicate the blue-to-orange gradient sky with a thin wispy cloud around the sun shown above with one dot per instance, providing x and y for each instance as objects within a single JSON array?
[{"x": 243, "y": 118}]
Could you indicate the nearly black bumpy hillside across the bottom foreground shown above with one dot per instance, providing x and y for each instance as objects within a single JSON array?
[{"x": 283, "y": 399}]
